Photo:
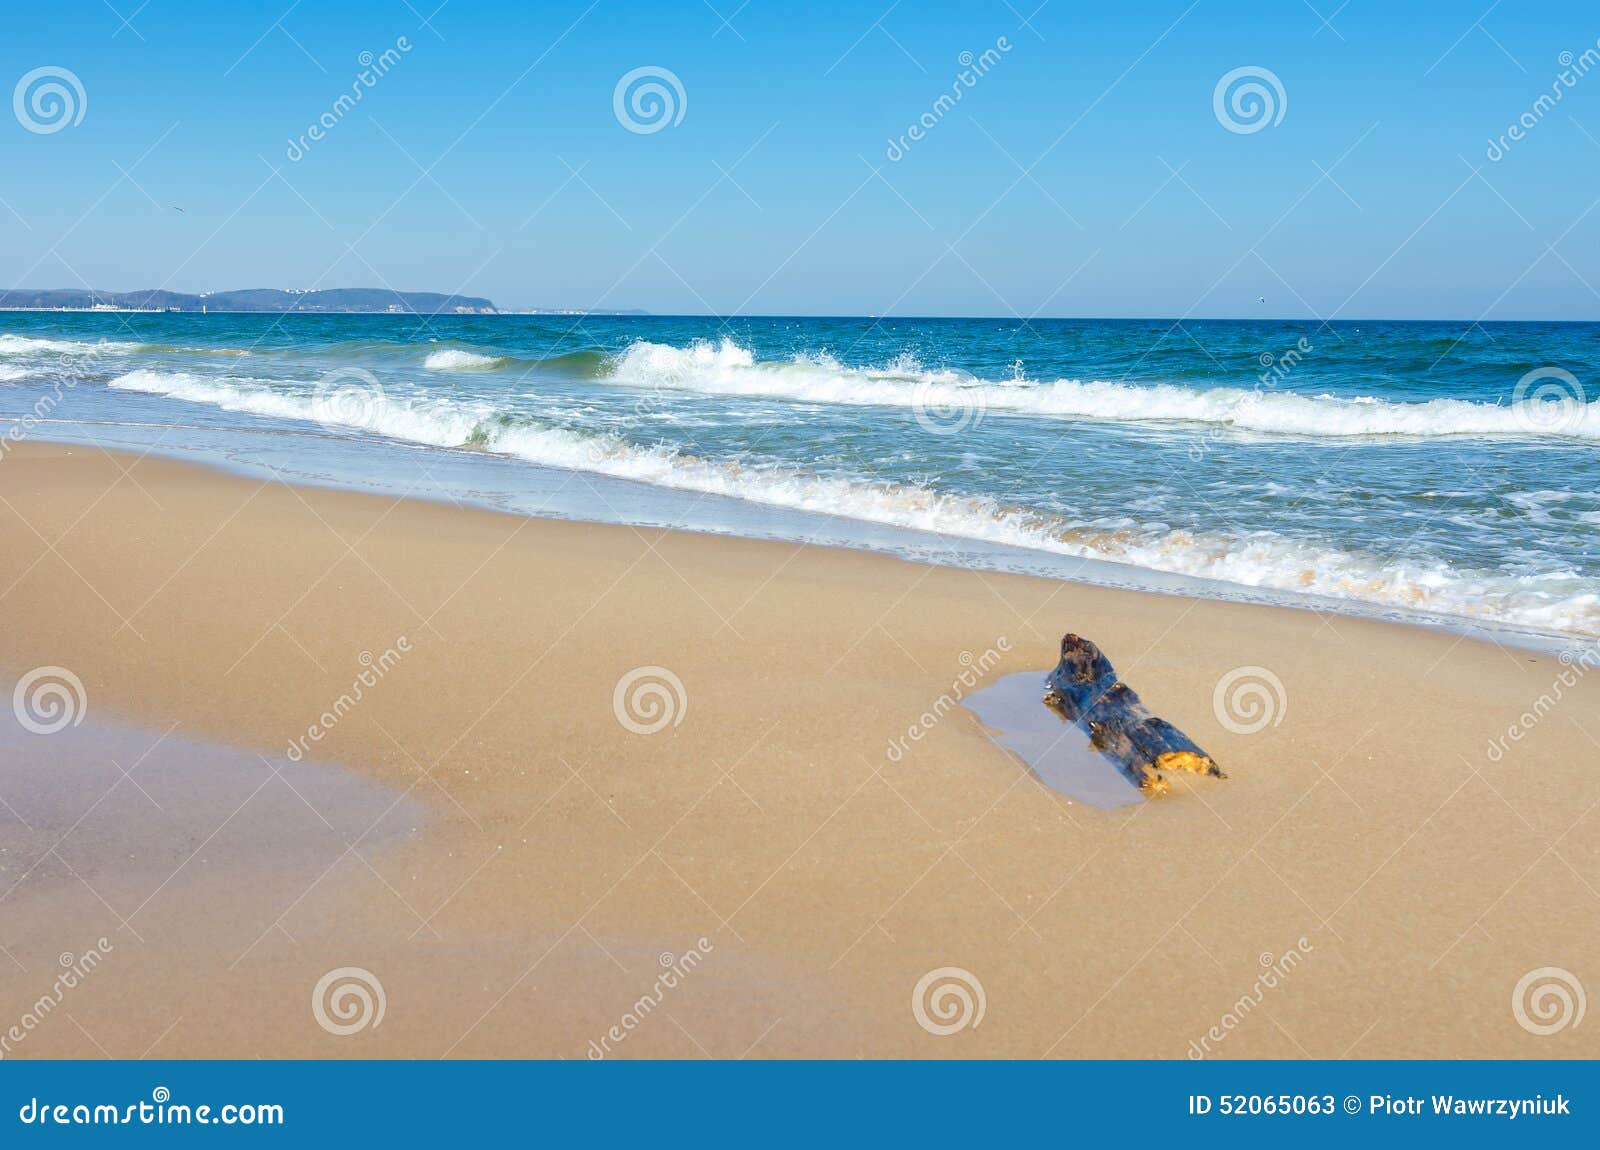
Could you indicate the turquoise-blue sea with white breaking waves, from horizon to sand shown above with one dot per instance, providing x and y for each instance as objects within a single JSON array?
[{"x": 1449, "y": 469}]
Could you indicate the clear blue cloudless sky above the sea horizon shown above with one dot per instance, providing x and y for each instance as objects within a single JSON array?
[{"x": 1086, "y": 172}]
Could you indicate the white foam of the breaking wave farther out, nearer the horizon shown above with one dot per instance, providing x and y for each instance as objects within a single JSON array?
[{"x": 730, "y": 370}]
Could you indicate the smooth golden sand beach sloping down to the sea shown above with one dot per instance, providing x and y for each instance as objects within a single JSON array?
[{"x": 558, "y": 857}]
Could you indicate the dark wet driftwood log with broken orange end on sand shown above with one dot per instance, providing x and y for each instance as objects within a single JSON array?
[{"x": 1086, "y": 690}]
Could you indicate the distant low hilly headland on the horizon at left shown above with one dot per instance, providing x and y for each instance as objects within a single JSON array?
[{"x": 250, "y": 300}]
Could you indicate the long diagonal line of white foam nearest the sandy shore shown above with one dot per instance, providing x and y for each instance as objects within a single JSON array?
[{"x": 1260, "y": 559}]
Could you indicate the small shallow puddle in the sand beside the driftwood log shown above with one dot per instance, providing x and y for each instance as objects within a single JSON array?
[{"x": 1055, "y": 749}]
